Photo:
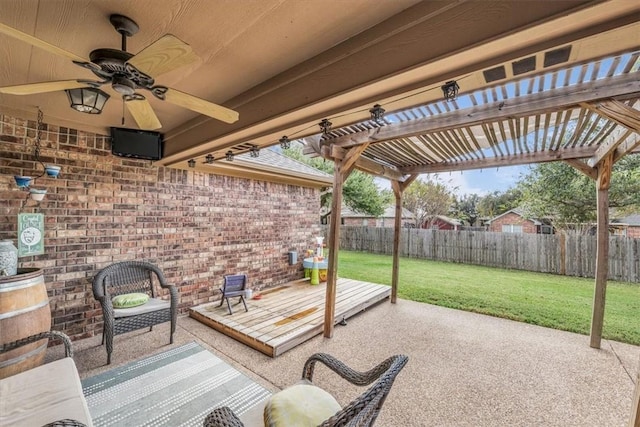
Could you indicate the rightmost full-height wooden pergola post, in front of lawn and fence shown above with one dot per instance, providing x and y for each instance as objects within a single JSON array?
[{"x": 602, "y": 254}]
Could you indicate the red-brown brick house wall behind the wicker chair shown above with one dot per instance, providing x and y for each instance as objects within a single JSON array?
[{"x": 103, "y": 209}]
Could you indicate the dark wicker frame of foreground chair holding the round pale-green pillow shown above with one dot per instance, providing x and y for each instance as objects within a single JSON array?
[{"x": 362, "y": 411}]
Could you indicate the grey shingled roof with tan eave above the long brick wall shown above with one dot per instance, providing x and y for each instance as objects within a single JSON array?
[{"x": 271, "y": 166}]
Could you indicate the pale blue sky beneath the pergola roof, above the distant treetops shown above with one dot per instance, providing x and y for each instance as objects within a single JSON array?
[{"x": 480, "y": 181}]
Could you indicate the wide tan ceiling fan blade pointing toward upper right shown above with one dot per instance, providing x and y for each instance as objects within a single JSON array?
[{"x": 165, "y": 54}]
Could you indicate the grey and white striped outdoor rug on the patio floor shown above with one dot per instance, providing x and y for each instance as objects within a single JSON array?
[{"x": 178, "y": 387}]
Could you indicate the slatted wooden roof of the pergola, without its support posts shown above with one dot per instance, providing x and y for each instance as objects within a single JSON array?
[{"x": 582, "y": 112}]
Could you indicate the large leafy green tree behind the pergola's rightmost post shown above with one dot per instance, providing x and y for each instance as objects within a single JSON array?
[{"x": 558, "y": 191}]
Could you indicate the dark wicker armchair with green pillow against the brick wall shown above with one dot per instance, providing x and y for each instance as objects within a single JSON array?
[{"x": 127, "y": 277}]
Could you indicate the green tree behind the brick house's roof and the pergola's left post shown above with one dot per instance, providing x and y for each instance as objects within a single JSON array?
[{"x": 360, "y": 192}]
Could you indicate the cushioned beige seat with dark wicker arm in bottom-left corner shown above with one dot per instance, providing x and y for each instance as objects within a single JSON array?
[{"x": 45, "y": 394}]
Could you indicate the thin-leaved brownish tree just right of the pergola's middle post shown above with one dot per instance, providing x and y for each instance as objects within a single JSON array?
[{"x": 426, "y": 199}]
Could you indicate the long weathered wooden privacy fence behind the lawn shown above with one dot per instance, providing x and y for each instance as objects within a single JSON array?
[{"x": 571, "y": 255}]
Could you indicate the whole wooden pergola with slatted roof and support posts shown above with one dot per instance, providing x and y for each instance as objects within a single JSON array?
[{"x": 587, "y": 115}]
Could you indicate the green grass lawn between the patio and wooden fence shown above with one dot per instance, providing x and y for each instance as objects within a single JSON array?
[{"x": 549, "y": 300}]
